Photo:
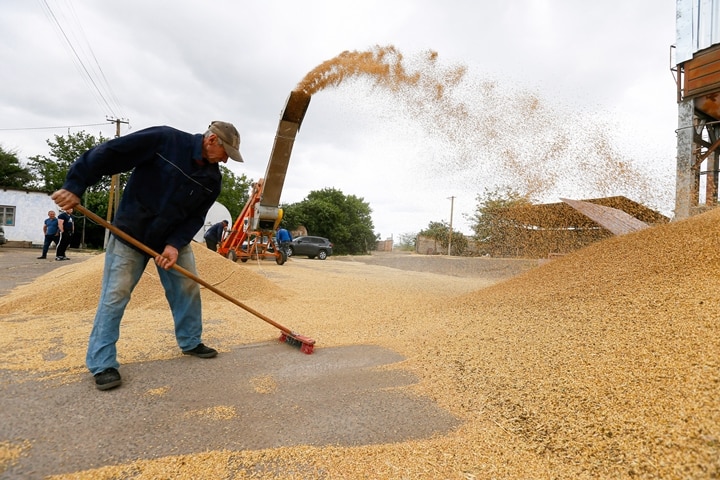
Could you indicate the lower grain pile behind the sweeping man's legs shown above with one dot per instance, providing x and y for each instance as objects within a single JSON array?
[{"x": 59, "y": 330}]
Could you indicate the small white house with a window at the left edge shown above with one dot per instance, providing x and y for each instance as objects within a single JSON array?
[{"x": 22, "y": 213}]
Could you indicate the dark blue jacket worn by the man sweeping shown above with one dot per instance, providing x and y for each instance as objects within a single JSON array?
[{"x": 170, "y": 190}]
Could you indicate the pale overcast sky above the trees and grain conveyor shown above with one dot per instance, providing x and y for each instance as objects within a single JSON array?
[{"x": 551, "y": 83}]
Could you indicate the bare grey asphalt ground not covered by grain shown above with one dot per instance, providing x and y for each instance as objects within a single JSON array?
[{"x": 335, "y": 396}]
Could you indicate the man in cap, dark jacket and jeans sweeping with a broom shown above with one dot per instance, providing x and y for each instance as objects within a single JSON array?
[{"x": 174, "y": 181}]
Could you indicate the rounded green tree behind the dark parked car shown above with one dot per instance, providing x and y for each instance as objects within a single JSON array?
[{"x": 344, "y": 219}]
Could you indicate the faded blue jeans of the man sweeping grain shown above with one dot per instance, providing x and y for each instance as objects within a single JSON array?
[{"x": 123, "y": 268}]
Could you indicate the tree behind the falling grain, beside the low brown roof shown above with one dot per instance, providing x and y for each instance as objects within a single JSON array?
[{"x": 495, "y": 222}]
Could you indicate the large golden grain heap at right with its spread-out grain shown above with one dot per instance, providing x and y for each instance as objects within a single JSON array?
[{"x": 602, "y": 364}]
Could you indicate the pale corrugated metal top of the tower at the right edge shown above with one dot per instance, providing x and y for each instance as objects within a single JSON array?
[{"x": 697, "y": 27}]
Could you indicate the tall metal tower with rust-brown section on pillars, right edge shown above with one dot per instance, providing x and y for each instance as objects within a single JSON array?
[{"x": 697, "y": 71}]
